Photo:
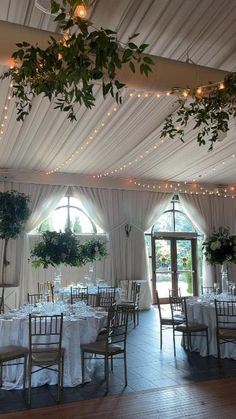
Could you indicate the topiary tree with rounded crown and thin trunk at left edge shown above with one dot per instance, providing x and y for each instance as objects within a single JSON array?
[{"x": 14, "y": 212}]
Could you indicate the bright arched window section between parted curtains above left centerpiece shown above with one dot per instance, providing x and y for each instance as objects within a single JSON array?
[{"x": 69, "y": 214}]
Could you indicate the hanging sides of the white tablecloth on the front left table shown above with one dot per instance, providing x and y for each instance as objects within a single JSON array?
[{"x": 14, "y": 331}]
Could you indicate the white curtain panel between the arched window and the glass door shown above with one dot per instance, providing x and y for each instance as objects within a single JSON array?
[{"x": 112, "y": 210}]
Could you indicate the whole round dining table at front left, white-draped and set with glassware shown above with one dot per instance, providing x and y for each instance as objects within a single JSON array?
[{"x": 79, "y": 327}]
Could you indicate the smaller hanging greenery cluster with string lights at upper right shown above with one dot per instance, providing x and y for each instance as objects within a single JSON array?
[{"x": 211, "y": 109}]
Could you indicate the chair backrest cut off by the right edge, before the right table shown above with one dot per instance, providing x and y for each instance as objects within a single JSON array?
[{"x": 225, "y": 314}]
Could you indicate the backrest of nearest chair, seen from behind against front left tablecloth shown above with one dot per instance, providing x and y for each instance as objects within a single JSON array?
[{"x": 43, "y": 327}]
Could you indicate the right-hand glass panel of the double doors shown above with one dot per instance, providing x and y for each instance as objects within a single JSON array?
[{"x": 184, "y": 267}]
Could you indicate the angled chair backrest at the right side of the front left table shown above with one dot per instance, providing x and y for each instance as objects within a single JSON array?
[{"x": 117, "y": 325}]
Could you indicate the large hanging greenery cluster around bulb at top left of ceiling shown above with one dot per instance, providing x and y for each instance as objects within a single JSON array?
[{"x": 65, "y": 71}]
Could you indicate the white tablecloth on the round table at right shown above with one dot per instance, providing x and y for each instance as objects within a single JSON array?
[{"x": 201, "y": 310}]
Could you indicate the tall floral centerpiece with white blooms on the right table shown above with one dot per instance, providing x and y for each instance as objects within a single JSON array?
[{"x": 220, "y": 248}]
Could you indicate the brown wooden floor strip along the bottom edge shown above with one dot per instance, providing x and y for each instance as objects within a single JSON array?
[{"x": 211, "y": 399}]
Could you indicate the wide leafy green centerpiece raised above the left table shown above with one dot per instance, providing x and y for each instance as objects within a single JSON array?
[{"x": 64, "y": 248}]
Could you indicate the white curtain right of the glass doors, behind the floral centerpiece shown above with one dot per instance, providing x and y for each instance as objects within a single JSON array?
[{"x": 209, "y": 212}]
